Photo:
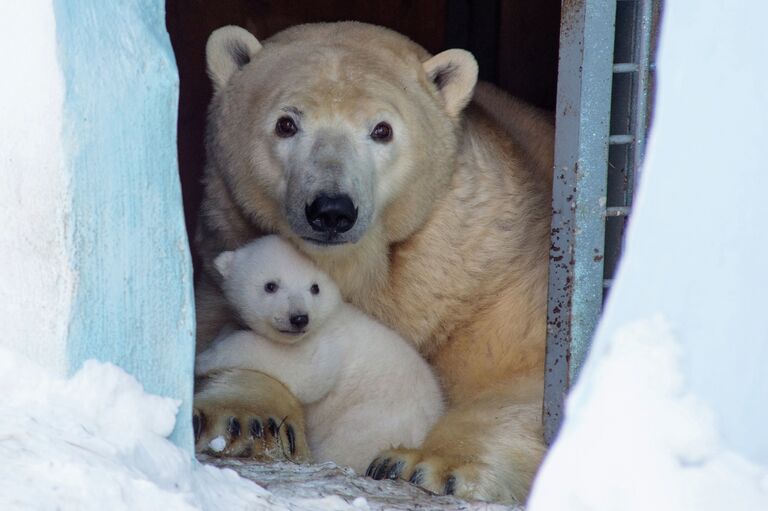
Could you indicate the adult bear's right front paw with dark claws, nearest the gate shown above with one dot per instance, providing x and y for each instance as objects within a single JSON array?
[{"x": 437, "y": 474}]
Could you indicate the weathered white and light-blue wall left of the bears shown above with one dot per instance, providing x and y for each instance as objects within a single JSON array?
[{"x": 95, "y": 260}]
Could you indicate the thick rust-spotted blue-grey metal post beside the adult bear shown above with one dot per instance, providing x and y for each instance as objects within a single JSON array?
[{"x": 578, "y": 203}]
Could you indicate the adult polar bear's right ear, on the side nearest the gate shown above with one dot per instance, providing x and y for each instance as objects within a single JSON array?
[{"x": 454, "y": 72}]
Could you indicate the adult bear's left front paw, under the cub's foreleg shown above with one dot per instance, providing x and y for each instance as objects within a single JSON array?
[{"x": 247, "y": 414}]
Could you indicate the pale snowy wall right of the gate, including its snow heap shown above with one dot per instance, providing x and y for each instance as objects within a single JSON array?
[{"x": 669, "y": 411}]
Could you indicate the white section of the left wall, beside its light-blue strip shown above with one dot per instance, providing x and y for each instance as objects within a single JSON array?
[{"x": 36, "y": 281}]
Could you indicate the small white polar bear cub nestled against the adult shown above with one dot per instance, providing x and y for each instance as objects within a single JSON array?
[{"x": 364, "y": 387}]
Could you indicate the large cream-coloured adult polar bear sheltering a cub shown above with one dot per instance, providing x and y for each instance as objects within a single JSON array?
[{"x": 359, "y": 147}]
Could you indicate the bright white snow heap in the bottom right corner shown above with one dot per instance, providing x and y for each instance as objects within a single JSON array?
[{"x": 635, "y": 439}]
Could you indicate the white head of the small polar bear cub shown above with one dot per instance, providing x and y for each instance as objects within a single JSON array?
[{"x": 276, "y": 291}]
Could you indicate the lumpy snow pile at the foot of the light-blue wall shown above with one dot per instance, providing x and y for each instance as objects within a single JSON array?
[{"x": 98, "y": 441}]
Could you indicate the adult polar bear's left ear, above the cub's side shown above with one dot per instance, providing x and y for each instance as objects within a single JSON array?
[{"x": 227, "y": 50}]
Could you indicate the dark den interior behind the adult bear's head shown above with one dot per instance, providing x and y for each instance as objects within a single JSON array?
[{"x": 514, "y": 41}]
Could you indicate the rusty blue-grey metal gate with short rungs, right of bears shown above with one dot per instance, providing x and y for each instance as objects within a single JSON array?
[{"x": 602, "y": 118}]
